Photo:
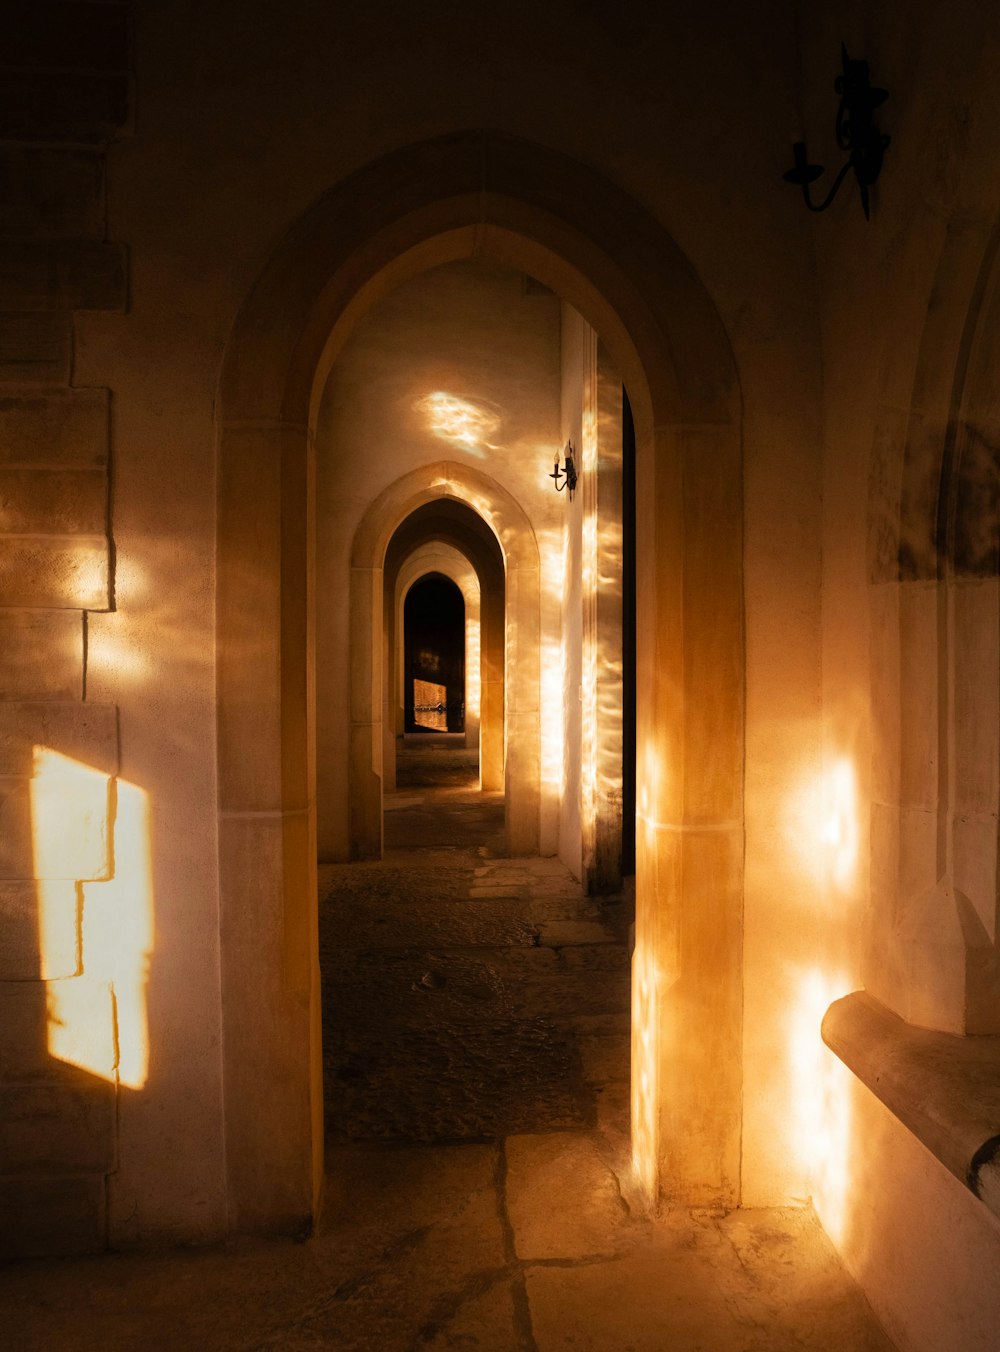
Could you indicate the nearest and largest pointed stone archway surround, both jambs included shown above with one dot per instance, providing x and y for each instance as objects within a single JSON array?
[{"x": 467, "y": 194}]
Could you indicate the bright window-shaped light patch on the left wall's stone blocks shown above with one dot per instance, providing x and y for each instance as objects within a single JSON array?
[{"x": 90, "y": 829}]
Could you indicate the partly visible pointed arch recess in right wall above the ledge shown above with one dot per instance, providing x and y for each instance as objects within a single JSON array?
[{"x": 934, "y": 574}]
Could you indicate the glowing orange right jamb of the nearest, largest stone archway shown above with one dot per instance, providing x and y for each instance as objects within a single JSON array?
[{"x": 690, "y": 834}]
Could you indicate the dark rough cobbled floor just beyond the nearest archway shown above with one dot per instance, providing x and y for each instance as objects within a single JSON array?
[{"x": 447, "y": 1019}]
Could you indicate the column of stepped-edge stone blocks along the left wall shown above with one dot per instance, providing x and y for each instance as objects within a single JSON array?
[{"x": 64, "y": 94}]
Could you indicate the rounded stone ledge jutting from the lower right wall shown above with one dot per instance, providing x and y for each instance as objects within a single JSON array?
[{"x": 944, "y": 1088}]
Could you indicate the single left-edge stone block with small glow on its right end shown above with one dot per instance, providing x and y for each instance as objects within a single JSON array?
[{"x": 66, "y": 574}]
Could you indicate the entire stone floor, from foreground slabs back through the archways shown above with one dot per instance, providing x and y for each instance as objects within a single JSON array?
[{"x": 476, "y": 1028}]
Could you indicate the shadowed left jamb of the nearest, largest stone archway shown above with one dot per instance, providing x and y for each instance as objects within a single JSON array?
[{"x": 267, "y": 829}]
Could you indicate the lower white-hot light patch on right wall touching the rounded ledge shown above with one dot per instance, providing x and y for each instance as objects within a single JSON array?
[{"x": 822, "y": 1103}]
